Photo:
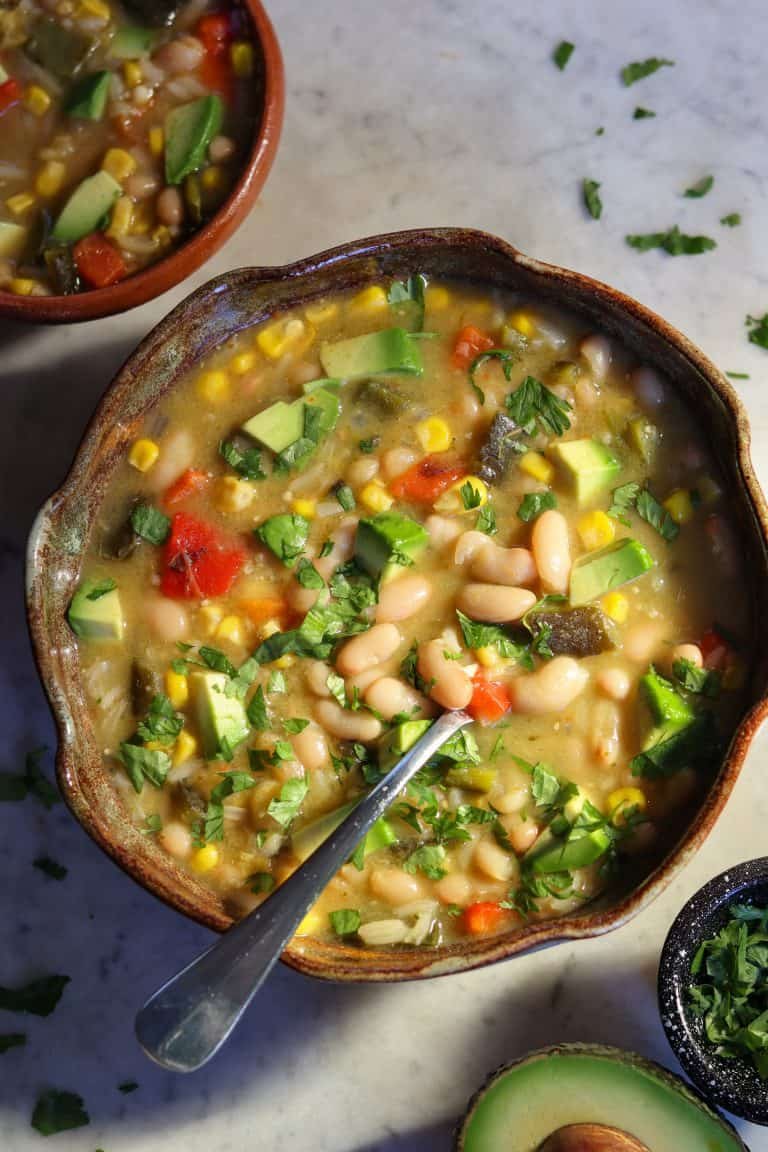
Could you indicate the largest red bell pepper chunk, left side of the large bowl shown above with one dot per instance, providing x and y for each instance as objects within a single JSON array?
[{"x": 197, "y": 560}]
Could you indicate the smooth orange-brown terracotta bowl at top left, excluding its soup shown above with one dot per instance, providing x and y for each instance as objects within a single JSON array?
[{"x": 201, "y": 247}]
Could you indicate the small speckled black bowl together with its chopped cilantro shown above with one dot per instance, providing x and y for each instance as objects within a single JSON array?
[{"x": 720, "y": 988}]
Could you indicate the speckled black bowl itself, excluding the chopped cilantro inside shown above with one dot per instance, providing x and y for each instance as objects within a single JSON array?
[{"x": 733, "y": 1085}]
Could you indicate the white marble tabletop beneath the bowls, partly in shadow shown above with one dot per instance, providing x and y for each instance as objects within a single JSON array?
[{"x": 404, "y": 113}]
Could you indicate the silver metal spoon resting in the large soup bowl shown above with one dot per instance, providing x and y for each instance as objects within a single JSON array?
[{"x": 188, "y": 1020}]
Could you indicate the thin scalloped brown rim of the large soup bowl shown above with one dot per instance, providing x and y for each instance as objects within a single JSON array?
[{"x": 339, "y": 961}]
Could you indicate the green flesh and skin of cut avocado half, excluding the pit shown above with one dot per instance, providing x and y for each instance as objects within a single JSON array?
[{"x": 527, "y": 1102}]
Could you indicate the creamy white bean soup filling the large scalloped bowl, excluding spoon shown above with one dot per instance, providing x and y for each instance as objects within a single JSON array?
[{"x": 602, "y": 687}]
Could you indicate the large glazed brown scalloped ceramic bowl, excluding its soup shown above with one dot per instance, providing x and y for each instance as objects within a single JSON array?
[{"x": 211, "y": 315}]
